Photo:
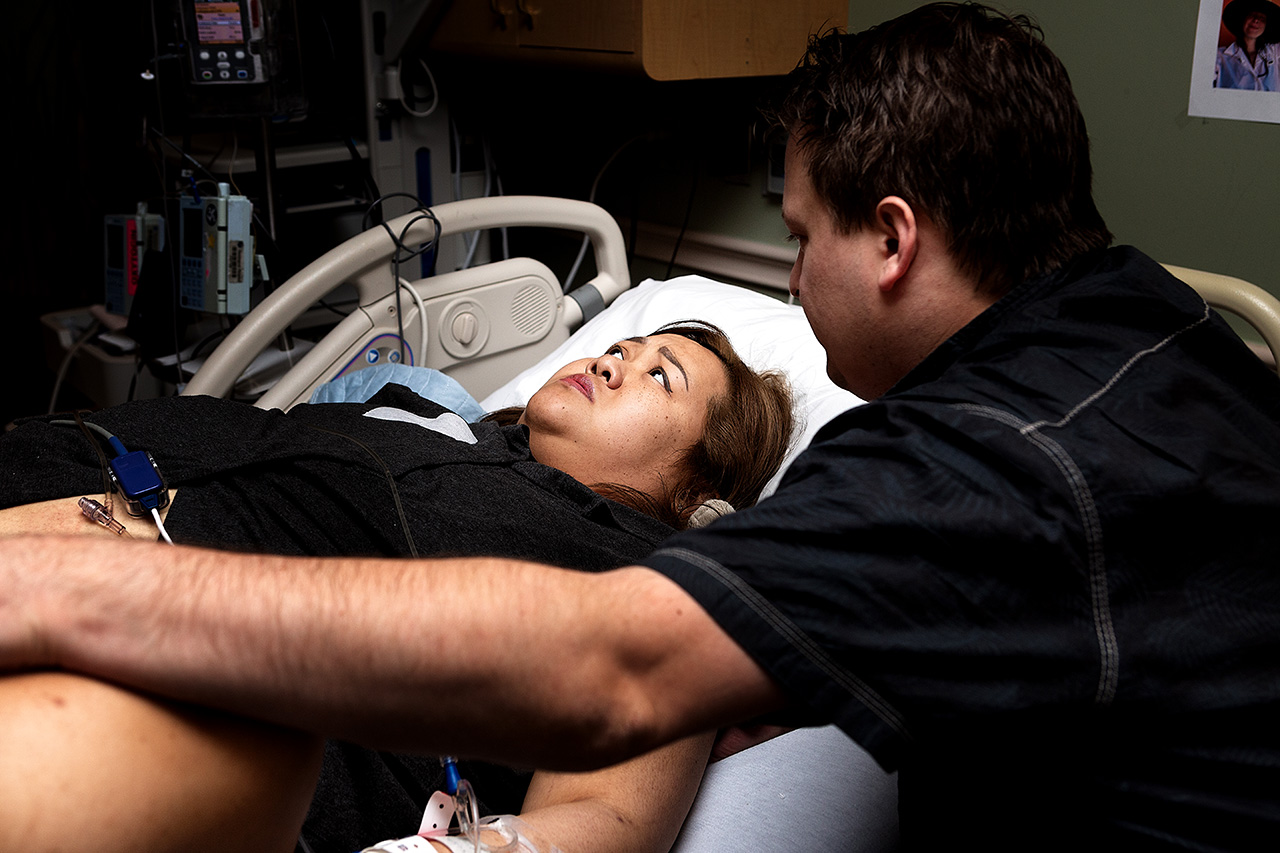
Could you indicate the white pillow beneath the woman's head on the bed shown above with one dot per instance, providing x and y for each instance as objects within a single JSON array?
[{"x": 766, "y": 332}]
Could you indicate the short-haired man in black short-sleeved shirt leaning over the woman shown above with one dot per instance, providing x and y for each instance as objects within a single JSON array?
[{"x": 1039, "y": 574}]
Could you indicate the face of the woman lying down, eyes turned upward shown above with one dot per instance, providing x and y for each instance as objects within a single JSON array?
[{"x": 628, "y": 416}]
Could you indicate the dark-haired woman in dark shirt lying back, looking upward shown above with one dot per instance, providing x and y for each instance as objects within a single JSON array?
[{"x": 660, "y": 425}]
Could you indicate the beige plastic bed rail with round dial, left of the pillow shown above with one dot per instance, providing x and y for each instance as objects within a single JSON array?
[{"x": 482, "y": 325}]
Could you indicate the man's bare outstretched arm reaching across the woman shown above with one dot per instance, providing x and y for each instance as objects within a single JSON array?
[{"x": 481, "y": 658}]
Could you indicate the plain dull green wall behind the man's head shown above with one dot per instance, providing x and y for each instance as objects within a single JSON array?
[{"x": 1190, "y": 191}]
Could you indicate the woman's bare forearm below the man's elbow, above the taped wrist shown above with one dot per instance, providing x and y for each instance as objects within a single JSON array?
[{"x": 636, "y": 808}]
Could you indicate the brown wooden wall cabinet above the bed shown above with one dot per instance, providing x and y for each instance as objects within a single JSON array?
[{"x": 661, "y": 39}]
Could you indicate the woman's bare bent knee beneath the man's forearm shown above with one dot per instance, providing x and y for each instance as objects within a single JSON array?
[{"x": 85, "y": 760}]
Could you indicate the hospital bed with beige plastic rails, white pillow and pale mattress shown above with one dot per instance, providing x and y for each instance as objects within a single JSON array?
[{"x": 523, "y": 329}]
